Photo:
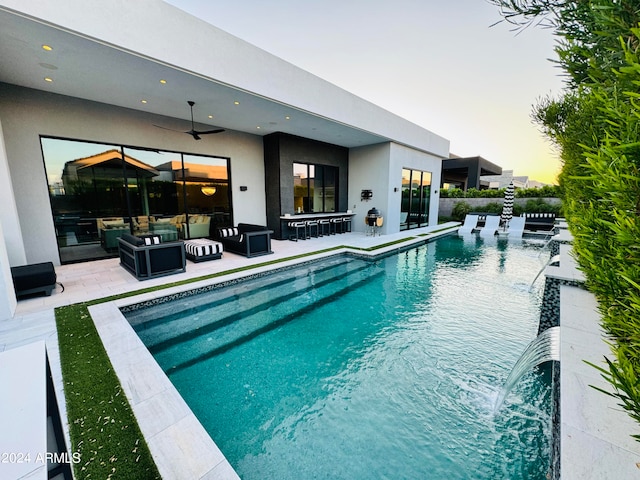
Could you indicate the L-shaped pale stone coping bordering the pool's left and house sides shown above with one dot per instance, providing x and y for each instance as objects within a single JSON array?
[{"x": 179, "y": 444}]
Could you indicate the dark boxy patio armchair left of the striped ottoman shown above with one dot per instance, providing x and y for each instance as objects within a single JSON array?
[{"x": 147, "y": 257}]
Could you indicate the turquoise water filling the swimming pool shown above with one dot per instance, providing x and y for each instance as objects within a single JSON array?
[{"x": 358, "y": 370}]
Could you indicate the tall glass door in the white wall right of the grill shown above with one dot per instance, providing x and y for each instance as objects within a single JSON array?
[{"x": 416, "y": 193}]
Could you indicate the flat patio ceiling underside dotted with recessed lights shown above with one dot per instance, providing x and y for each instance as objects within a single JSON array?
[{"x": 86, "y": 68}]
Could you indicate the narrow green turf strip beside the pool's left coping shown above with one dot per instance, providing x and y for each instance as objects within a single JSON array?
[{"x": 103, "y": 429}]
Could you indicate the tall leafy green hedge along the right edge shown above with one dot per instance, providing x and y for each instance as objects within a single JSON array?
[{"x": 596, "y": 125}]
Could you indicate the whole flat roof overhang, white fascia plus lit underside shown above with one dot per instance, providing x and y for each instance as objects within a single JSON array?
[{"x": 93, "y": 58}]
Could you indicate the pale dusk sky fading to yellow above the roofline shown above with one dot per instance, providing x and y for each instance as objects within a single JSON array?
[{"x": 438, "y": 64}]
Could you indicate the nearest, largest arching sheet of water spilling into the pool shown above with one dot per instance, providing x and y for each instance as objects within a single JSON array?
[{"x": 545, "y": 348}]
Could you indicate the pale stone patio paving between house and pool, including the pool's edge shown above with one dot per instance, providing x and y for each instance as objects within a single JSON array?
[{"x": 179, "y": 444}]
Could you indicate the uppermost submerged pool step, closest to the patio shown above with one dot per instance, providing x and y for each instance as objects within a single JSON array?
[{"x": 206, "y": 312}]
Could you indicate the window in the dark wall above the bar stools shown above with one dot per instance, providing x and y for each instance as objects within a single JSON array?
[{"x": 314, "y": 188}]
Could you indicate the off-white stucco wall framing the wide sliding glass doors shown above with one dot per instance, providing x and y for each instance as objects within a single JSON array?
[{"x": 26, "y": 114}]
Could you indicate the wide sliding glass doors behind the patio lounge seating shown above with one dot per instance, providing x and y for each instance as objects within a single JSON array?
[{"x": 100, "y": 191}]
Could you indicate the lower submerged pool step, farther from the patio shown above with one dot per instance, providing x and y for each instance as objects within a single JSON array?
[{"x": 228, "y": 332}]
